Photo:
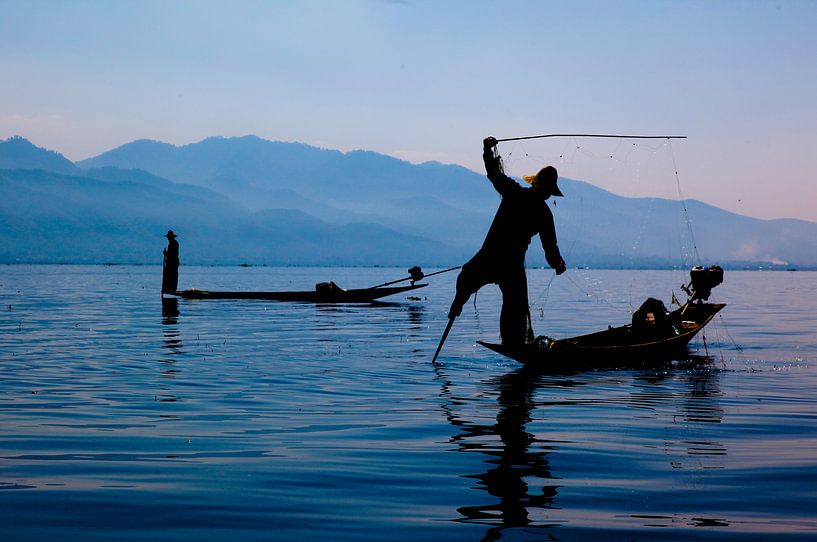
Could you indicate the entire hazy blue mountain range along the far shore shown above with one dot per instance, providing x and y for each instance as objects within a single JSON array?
[{"x": 250, "y": 200}]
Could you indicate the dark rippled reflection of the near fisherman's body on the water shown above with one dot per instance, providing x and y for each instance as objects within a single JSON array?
[{"x": 520, "y": 457}]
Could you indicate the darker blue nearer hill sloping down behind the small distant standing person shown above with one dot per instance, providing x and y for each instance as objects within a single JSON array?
[{"x": 54, "y": 218}]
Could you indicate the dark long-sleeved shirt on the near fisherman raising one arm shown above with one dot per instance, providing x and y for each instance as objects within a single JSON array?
[{"x": 522, "y": 214}]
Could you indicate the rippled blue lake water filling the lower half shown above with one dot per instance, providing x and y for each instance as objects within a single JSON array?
[{"x": 125, "y": 419}]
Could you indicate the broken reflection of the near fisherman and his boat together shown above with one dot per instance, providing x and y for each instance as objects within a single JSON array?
[{"x": 518, "y": 473}]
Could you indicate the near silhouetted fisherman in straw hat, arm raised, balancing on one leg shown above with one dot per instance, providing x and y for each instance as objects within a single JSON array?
[{"x": 522, "y": 214}]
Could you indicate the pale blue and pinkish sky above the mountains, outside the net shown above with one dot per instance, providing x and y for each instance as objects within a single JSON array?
[{"x": 425, "y": 80}]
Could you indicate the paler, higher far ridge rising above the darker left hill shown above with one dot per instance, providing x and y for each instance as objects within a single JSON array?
[{"x": 253, "y": 171}]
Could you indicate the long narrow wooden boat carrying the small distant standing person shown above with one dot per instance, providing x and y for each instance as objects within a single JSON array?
[{"x": 319, "y": 295}]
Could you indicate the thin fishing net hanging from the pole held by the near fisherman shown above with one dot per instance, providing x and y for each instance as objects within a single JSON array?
[{"x": 623, "y": 207}]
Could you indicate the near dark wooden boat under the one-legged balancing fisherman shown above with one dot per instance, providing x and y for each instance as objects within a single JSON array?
[{"x": 626, "y": 345}]
